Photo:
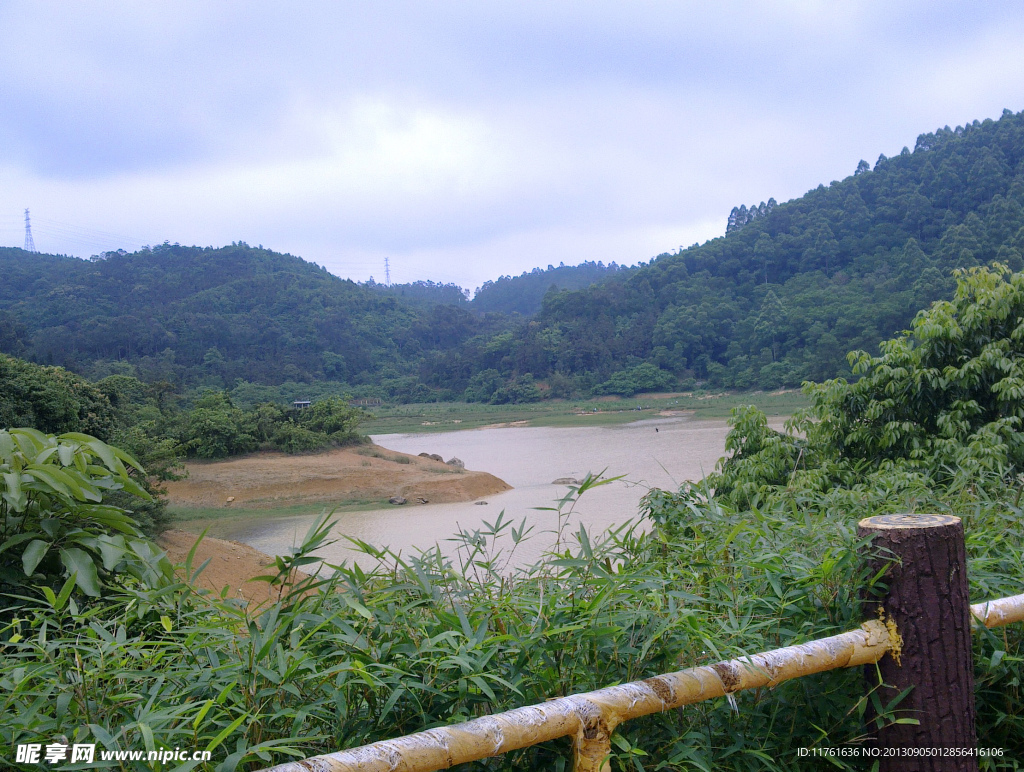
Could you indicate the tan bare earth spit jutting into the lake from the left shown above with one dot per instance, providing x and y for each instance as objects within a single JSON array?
[{"x": 369, "y": 474}]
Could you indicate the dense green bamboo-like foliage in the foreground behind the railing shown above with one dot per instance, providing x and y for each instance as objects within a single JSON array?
[{"x": 350, "y": 657}]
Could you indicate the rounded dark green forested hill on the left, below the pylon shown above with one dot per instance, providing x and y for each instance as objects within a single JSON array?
[{"x": 210, "y": 317}]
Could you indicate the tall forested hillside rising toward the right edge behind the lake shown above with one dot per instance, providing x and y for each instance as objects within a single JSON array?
[{"x": 785, "y": 294}]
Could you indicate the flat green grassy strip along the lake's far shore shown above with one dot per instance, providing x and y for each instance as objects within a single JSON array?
[{"x": 439, "y": 417}]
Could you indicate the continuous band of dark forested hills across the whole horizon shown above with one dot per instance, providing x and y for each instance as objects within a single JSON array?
[{"x": 776, "y": 302}]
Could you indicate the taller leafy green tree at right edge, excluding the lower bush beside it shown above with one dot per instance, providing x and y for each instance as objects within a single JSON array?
[{"x": 956, "y": 378}]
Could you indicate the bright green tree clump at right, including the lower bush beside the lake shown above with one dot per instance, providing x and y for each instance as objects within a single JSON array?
[{"x": 943, "y": 405}]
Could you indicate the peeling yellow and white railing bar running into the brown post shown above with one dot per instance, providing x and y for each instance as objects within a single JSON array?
[{"x": 592, "y": 717}]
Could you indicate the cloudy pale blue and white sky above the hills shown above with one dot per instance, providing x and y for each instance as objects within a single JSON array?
[{"x": 465, "y": 141}]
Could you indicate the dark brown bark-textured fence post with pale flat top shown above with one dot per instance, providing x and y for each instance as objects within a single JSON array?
[{"x": 928, "y": 602}]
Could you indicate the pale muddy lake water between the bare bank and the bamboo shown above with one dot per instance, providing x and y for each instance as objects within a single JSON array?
[{"x": 658, "y": 453}]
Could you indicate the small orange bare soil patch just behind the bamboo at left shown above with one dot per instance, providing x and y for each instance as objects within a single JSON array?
[{"x": 232, "y": 566}]
